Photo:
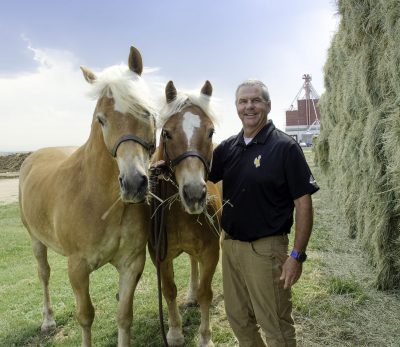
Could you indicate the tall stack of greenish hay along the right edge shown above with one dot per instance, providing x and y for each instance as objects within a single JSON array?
[{"x": 359, "y": 145}]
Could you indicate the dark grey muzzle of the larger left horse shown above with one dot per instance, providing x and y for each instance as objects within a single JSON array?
[{"x": 134, "y": 188}]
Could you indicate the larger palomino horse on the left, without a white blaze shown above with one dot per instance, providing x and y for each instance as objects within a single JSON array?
[{"x": 86, "y": 203}]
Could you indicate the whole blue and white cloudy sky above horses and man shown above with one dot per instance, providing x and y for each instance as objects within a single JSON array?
[{"x": 43, "y": 95}]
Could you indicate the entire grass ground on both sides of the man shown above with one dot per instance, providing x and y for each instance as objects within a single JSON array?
[{"x": 335, "y": 304}]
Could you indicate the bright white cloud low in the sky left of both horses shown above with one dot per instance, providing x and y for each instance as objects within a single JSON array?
[{"x": 47, "y": 107}]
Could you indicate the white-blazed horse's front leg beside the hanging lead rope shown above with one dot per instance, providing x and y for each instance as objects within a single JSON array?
[{"x": 175, "y": 335}]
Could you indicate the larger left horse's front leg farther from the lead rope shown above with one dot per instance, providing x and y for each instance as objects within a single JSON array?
[{"x": 78, "y": 272}]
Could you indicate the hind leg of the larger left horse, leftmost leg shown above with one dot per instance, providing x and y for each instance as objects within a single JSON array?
[{"x": 40, "y": 252}]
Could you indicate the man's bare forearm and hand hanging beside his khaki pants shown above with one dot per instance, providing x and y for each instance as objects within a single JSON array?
[{"x": 291, "y": 270}]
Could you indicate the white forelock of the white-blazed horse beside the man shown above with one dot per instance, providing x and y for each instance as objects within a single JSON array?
[{"x": 184, "y": 100}]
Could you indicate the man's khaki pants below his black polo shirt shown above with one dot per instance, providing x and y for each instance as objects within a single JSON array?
[{"x": 253, "y": 294}]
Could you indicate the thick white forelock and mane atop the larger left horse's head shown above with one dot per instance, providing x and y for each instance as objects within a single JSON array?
[{"x": 129, "y": 91}]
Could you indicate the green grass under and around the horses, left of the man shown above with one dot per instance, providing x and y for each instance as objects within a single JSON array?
[{"x": 21, "y": 298}]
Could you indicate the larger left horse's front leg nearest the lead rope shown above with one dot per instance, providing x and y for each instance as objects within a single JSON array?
[{"x": 128, "y": 279}]
